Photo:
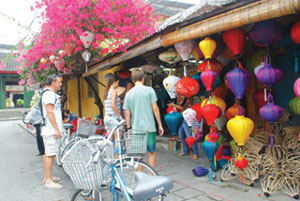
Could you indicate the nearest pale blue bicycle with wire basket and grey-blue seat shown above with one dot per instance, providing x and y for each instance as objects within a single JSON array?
[{"x": 98, "y": 185}]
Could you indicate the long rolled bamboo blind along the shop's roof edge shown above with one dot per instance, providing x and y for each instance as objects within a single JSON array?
[{"x": 258, "y": 11}]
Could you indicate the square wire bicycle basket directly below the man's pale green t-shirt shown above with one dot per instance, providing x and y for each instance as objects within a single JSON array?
[{"x": 136, "y": 141}]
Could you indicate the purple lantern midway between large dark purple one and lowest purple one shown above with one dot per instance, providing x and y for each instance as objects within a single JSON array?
[{"x": 267, "y": 74}]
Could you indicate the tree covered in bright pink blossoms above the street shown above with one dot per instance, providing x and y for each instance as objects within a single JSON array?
[{"x": 69, "y": 27}]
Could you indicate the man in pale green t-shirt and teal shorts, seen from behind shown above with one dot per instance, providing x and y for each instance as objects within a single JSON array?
[{"x": 140, "y": 105}]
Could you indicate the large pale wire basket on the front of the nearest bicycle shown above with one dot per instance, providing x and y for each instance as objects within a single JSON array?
[{"x": 78, "y": 164}]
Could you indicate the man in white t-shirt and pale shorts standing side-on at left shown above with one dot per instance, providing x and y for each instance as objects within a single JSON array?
[{"x": 51, "y": 131}]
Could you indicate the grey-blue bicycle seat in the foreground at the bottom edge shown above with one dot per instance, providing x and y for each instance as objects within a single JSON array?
[{"x": 150, "y": 186}]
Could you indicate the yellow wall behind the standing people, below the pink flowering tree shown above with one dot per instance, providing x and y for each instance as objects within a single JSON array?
[{"x": 88, "y": 107}]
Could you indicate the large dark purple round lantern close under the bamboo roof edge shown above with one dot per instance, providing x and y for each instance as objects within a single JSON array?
[{"x": 265, "y": 33}]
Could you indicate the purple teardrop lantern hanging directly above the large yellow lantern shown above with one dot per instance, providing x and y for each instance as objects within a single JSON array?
[{"x": 238, "y": 80}]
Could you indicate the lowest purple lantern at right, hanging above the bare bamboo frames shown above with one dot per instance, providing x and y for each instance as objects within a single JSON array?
[{"x": 270, "y": 112}]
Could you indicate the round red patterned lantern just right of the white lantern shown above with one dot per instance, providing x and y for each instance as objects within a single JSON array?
[{"x": 187, "y": 87}]
